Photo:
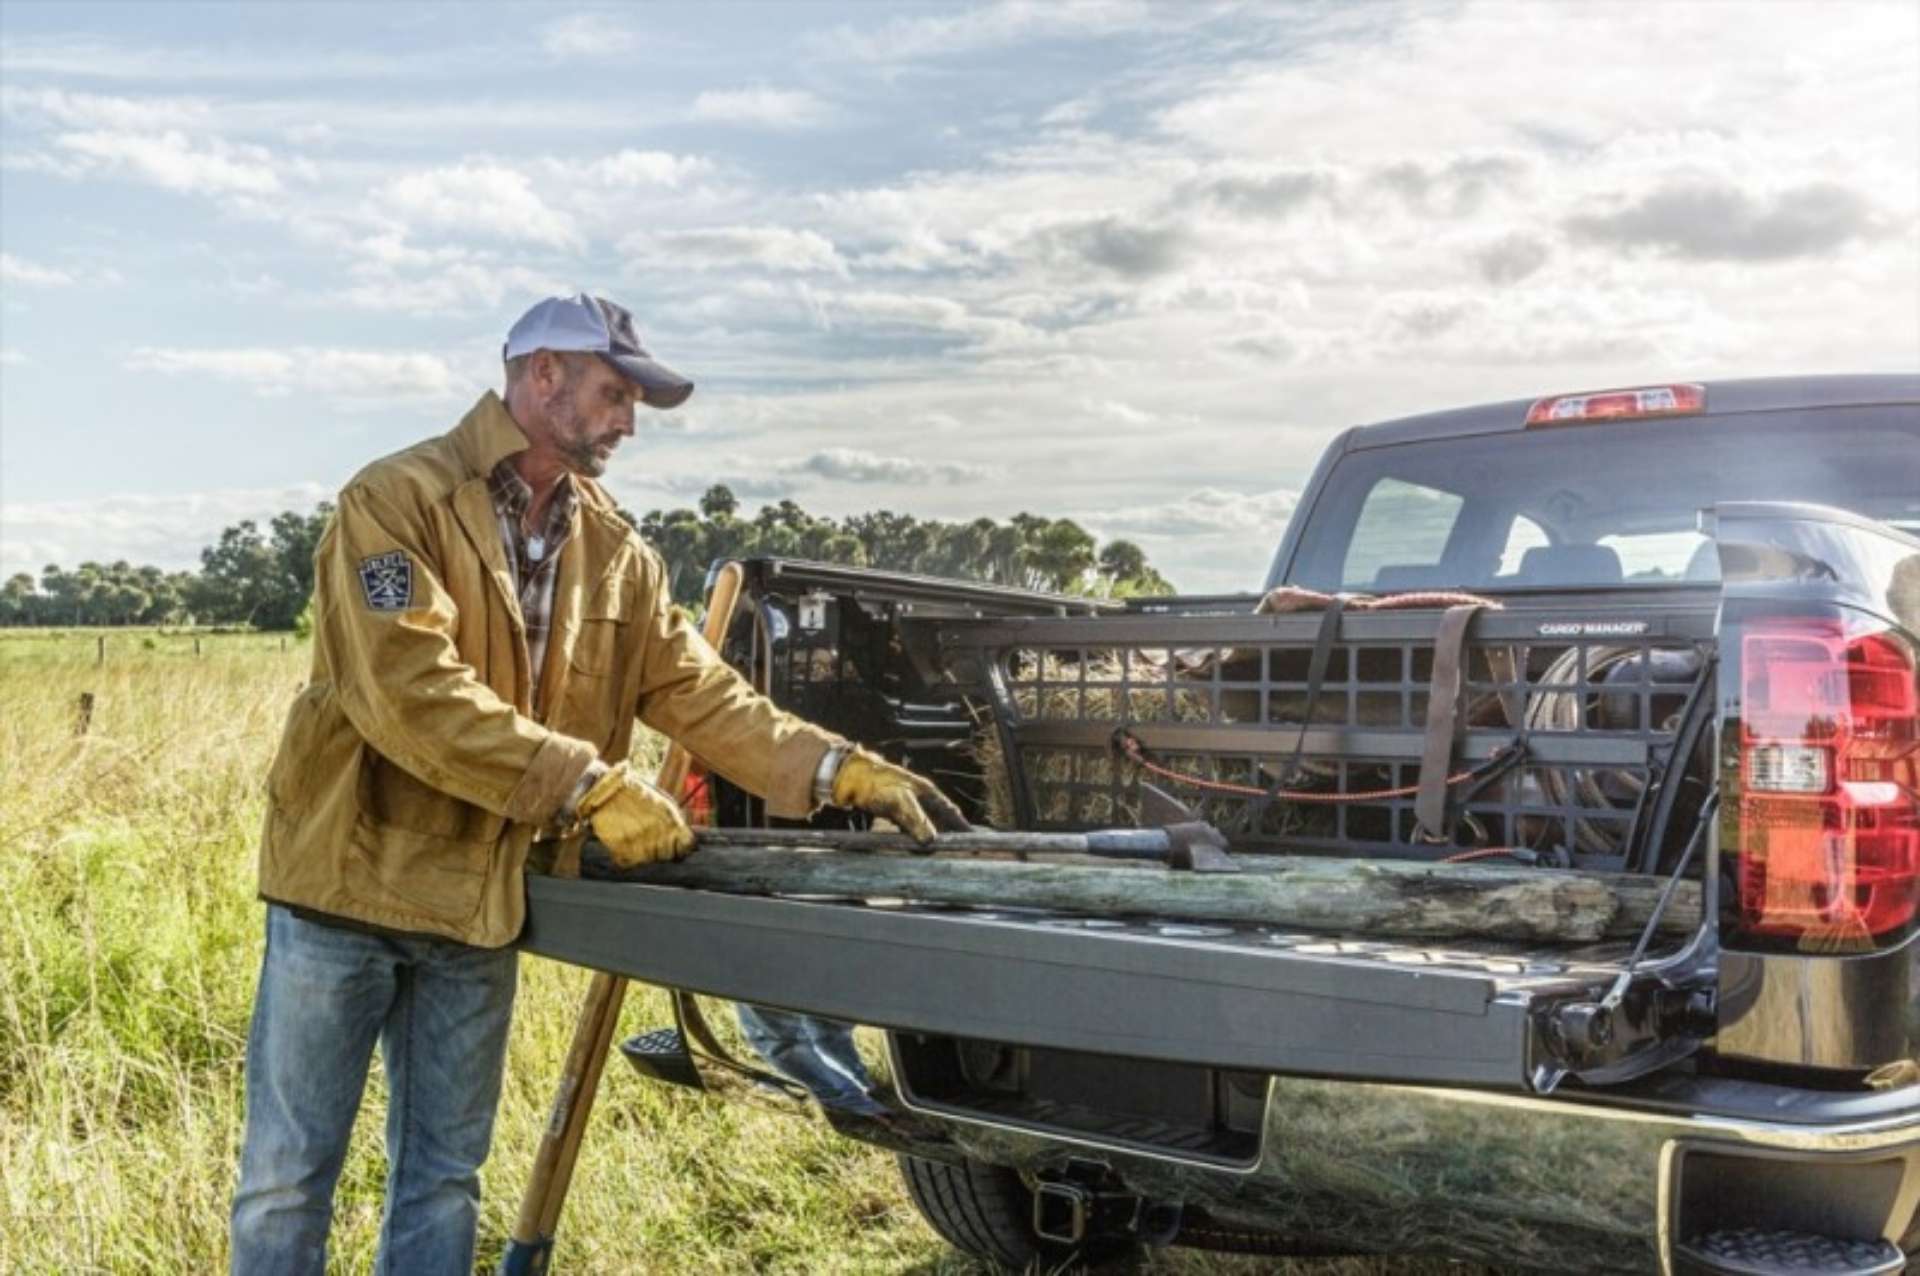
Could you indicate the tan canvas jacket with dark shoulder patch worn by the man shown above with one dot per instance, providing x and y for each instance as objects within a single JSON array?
[{"x": 412, "y": 774}]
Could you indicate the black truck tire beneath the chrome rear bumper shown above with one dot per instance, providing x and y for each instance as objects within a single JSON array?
[{"x": 988, "y": 1212}]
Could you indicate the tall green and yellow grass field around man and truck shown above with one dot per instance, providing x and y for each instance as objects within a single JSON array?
[{"x": 132, "y": 943}]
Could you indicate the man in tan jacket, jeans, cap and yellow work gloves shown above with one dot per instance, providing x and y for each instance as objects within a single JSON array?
[{"x": 487, "y": 632}]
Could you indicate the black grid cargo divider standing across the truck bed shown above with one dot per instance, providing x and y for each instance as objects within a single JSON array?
[{"x": 1556, "y": 744}]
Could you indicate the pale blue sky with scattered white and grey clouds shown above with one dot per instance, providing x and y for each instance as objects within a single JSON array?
[{"x": 1124, "y": 262}]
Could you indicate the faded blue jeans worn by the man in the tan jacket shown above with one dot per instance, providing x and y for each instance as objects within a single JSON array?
[{"x": 441, "y": 1012}]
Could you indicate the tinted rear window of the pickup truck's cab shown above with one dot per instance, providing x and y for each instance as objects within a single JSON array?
[{"x": 1593, "y": 506}]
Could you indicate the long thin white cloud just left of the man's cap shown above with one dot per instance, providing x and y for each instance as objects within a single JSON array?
[{"x": 339, "y": 373}]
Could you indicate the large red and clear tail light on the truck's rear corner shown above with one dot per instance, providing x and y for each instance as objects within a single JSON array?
[{"x": 1829, "y": 838}]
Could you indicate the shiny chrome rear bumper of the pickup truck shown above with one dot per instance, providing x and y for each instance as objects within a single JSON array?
[{"x": 1508, "y": 1181}]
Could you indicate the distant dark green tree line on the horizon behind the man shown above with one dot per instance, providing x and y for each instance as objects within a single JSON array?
[{"x": 264, "y": 577}]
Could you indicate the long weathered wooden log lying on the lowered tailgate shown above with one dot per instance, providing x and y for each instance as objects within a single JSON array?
[{"x": 1387, "y": 899}]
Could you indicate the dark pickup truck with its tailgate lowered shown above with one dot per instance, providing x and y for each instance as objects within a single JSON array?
[{"x": 1691, "y": 648}]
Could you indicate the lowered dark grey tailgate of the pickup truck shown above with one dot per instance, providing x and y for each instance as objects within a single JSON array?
[{"x": 1241, "y": 999}]
